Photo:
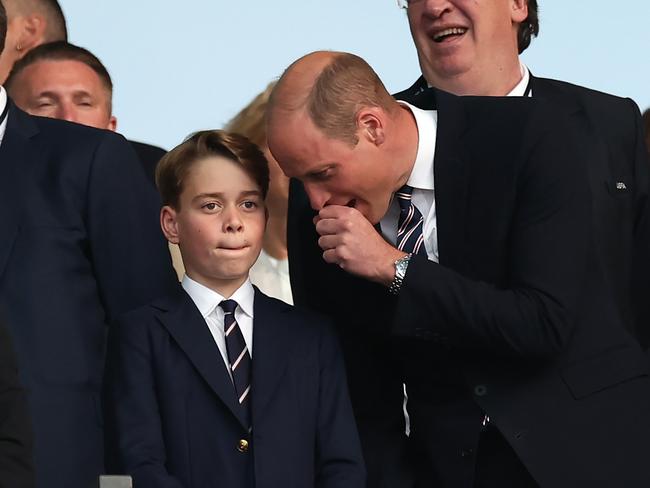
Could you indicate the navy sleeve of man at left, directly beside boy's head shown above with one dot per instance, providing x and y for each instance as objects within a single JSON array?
[{"x": 131, "y": 261}]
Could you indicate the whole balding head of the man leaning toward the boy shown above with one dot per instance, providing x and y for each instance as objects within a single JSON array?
[{"x": 333, "y": 125}]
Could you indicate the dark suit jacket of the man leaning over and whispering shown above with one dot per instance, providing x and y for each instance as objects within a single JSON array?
[{"x": 516, "y": 321}]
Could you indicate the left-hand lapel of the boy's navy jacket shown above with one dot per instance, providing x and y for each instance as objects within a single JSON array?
[{"x": 185, "y": 324}]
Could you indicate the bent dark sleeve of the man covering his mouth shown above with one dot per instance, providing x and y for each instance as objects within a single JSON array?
[{"x": 531, "y": 312}]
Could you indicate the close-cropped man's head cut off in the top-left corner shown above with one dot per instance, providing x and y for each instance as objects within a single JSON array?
[{"x": 30, "y": 23}]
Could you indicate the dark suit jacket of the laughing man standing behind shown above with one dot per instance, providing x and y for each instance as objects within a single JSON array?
[{"x": 618, "y": 170}]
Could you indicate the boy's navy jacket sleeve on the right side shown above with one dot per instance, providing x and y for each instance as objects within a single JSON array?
[{"x": 338, "y": 449}]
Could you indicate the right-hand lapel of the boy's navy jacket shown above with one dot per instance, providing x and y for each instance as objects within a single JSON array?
[{"x": 271, "y": 350}]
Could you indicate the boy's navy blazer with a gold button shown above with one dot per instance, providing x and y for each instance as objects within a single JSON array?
[{"x": 176, "y": 422}]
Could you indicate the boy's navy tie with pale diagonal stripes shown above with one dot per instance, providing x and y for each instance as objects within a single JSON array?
[{"x": 238, "y": 356}]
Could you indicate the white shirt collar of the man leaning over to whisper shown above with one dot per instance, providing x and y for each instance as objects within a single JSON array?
[{"x": 422, "y": 173}]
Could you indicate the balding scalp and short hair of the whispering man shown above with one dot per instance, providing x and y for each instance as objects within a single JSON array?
[{"x": 330, "y": 87}]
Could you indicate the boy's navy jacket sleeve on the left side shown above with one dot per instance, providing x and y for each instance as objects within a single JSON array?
[{"x": 133, "y": 434}]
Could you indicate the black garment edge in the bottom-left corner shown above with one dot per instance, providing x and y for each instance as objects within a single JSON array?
[{"x": 16, "y": 465}]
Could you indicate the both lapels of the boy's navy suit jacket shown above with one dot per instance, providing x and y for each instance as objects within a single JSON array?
[{"x": 179, "y": 315}]
